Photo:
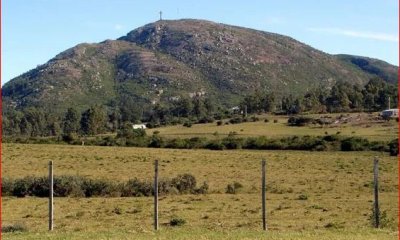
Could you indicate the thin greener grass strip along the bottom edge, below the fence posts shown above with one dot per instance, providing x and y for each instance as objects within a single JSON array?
[{"x": 180, "y": 234}]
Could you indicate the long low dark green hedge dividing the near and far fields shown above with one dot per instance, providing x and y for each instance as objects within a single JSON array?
[{"x": 307, "y": 143}]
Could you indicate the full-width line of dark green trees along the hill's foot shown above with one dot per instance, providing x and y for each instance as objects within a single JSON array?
[{"x": 342, "y": 97}]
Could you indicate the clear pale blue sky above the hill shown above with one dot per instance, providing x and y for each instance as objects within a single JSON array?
[{"x": 34, "y": 31}]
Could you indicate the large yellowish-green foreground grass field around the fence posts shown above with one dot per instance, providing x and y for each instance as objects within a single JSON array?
[{"x": 336, "y": 186}]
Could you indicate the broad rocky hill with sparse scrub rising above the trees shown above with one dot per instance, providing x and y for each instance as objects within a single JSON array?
[{"x": 166, "y": 60}]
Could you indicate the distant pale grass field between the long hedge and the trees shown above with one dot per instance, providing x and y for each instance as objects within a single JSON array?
[{"x": 360, "y": 126}]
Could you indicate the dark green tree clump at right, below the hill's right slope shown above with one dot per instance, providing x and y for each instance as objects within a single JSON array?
[{"x": 342, "y": 97}]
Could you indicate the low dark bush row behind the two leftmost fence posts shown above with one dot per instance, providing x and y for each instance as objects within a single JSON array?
[{"x": 77, "y": 186}]
